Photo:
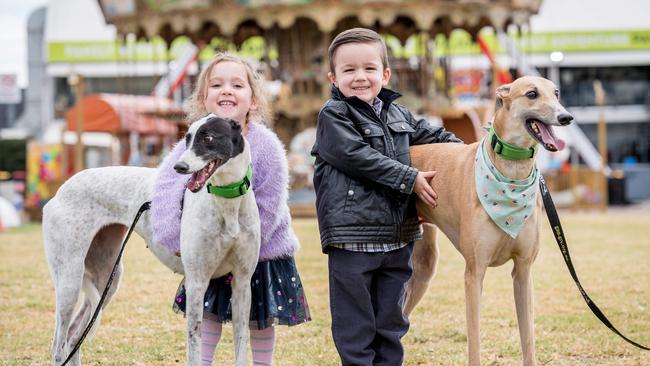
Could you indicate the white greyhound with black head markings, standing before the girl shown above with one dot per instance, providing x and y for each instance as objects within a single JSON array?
[{"x": 85, "y": 222}]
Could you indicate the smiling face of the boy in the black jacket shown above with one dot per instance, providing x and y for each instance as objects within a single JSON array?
[{"x": 359, "y": 71}]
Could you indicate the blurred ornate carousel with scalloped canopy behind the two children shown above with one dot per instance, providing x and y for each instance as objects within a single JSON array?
[{"x": 296, "y": 34}]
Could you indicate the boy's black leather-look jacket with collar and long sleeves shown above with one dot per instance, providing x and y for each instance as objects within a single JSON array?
[{"x": 362, "y": 177}]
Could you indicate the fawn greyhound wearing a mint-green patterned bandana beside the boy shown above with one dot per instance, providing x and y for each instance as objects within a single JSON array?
[{"x": 525, "y": 114}]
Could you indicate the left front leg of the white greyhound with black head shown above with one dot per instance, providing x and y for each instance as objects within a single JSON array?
[{"x": 196, "y": 283}]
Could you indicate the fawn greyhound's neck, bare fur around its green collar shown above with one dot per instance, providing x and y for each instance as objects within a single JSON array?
[{"x": 513, "y": 169}]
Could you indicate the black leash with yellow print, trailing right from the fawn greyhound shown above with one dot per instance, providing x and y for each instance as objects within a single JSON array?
[{"x": 554, "y": 220}]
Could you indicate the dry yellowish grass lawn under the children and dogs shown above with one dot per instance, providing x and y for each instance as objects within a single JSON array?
[{"x": 611, "y": 253}]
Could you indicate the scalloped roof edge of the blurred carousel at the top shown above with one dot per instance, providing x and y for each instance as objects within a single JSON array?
[{"x": 240, "y": 19}]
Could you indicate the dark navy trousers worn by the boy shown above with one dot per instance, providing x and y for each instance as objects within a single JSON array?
[{"x": 367, "y": 293}]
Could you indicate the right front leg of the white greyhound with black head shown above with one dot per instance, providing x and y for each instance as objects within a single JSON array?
[{"x": 241, "y": 306}]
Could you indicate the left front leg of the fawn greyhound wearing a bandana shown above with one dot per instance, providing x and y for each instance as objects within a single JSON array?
[{"x": 474, "y": 274}]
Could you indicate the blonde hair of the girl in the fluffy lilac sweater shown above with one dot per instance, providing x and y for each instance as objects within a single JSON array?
[{"x": 195, "y": 105}]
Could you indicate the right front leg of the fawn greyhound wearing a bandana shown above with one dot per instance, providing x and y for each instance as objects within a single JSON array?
[{"x": 523, "y": 287}]
